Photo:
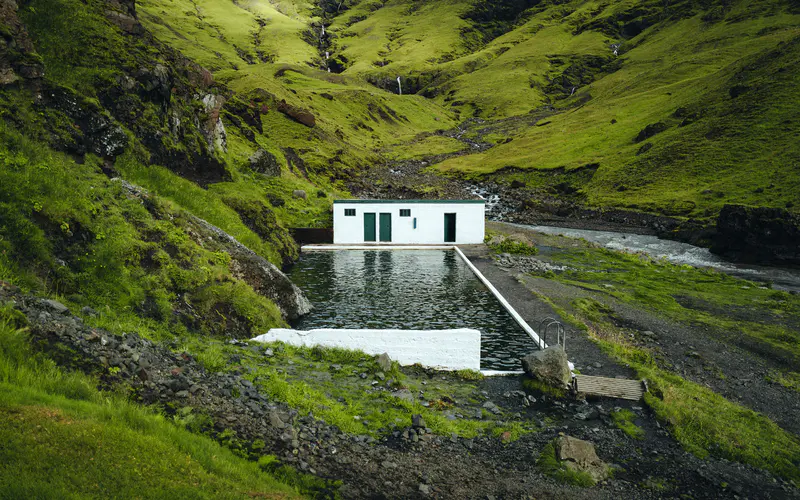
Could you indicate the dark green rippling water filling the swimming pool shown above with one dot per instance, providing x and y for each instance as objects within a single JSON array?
[{"x": 411, "y": 290}]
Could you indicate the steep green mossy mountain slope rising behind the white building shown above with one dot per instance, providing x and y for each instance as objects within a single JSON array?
[{"x": 668, "y": 108}]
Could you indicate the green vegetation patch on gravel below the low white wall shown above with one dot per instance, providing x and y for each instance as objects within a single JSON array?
[{"x": 349, "y": 389}]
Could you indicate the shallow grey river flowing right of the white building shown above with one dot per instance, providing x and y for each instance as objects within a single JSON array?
[{"x": 680, "y": 253}]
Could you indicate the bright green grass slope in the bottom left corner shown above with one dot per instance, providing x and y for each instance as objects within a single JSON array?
[{"x": 62, "y": 438}]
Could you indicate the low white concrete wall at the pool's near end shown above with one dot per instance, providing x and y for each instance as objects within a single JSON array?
[{"x": 443, "y": 349}]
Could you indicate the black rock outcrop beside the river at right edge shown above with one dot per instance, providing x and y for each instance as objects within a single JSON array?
[{"x": 758, "y": 234}]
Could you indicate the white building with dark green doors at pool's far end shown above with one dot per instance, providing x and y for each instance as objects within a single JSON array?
[{"x": 421, "y": 222}]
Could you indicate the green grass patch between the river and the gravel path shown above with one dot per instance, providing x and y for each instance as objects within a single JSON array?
[{"x": 716, "y": 300}]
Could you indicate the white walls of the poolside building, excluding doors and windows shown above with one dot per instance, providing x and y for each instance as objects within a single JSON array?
[{"x": 470, "y": 222}]
